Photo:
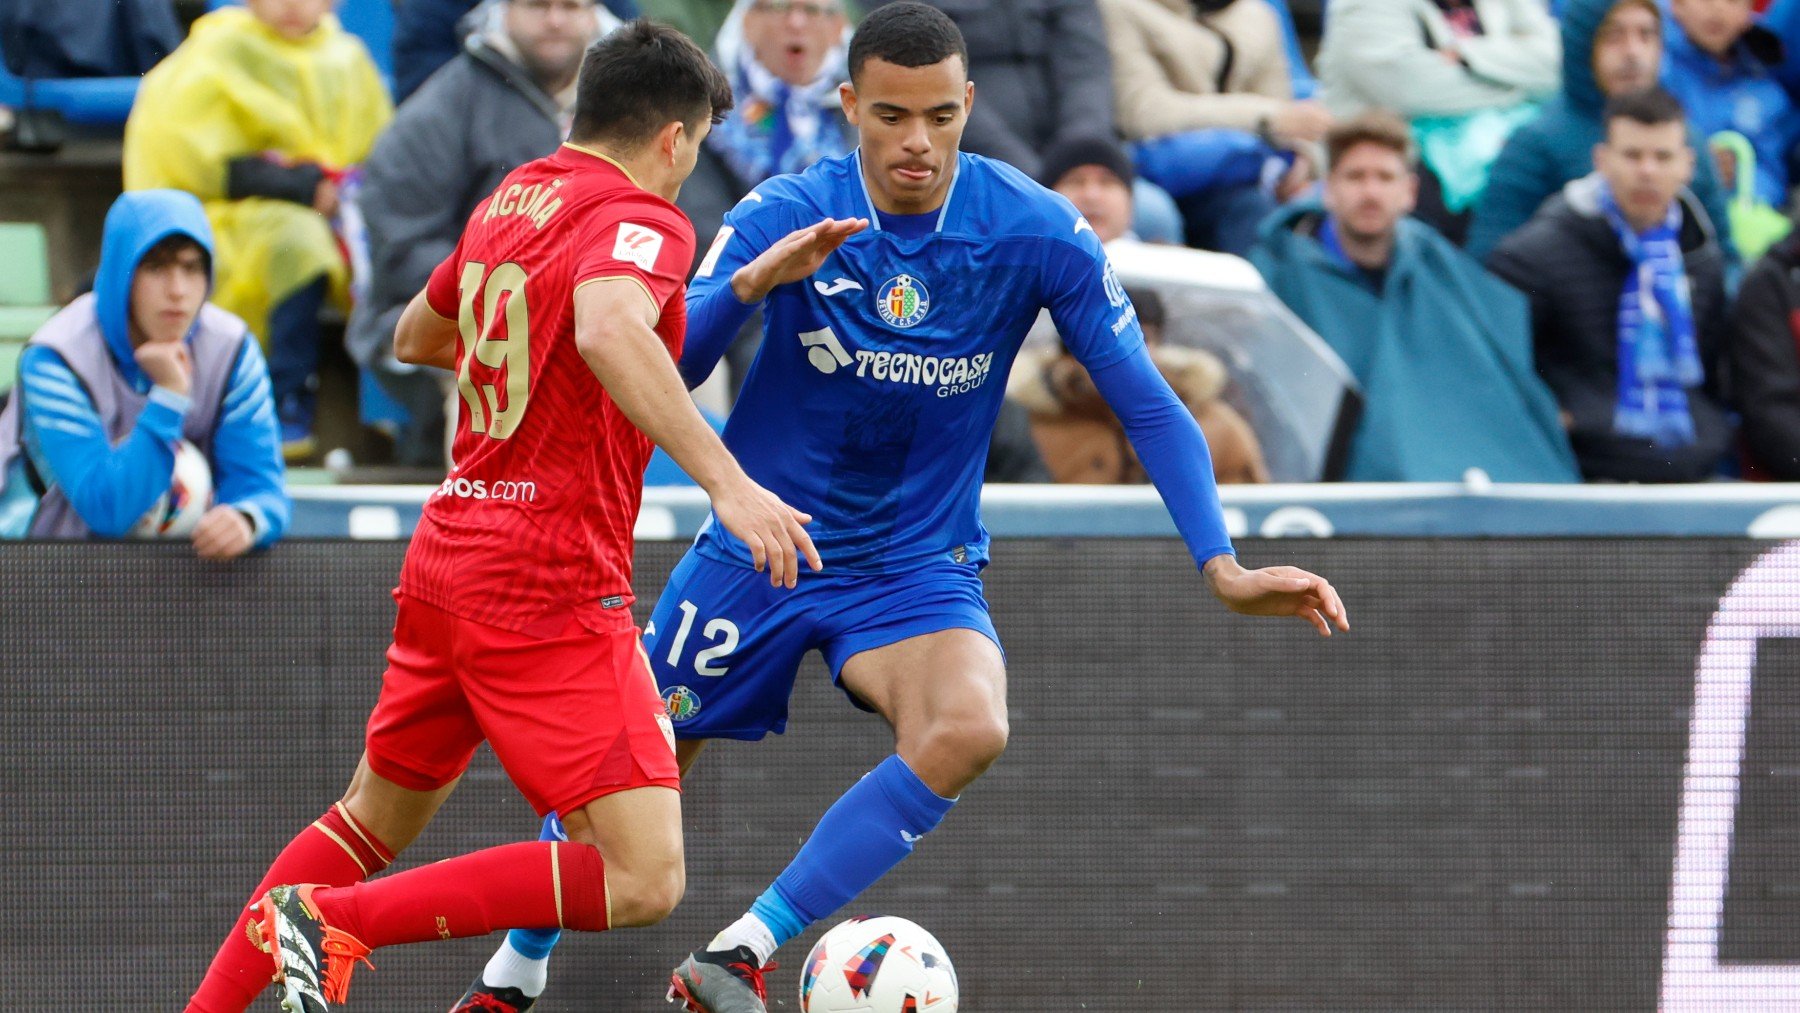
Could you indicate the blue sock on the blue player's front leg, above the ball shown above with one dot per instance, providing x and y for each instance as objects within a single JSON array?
[{"x": 863, "y": 836}]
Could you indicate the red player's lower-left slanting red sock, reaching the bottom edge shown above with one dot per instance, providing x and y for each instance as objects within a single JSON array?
[{"x": 334, "y": 850}]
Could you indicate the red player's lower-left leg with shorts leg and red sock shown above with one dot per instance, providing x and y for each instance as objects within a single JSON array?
[{"x": 420, "y": 739}]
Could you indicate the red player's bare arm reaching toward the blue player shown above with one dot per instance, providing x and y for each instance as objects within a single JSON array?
[{"x": 615, "y": 330}]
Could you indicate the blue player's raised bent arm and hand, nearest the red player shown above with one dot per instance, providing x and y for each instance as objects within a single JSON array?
[{"x": 739, "y": 273}]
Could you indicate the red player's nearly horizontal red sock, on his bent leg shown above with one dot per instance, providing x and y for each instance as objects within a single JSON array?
[{"x": 539, "y": 884}]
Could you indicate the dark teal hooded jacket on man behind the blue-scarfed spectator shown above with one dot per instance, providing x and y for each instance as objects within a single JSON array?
[{"x": 1558, "y": 147}]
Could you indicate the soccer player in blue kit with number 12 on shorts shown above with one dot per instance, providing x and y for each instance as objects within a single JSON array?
[{"x": 897, "y": 285}]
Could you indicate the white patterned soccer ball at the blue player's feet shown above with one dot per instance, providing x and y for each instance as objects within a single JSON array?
[{"x": 877, "y": 965}]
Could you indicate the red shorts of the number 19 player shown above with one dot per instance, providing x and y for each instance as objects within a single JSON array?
[{"x": 573, "y": 715}]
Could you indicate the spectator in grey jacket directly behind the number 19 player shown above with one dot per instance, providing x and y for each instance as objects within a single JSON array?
[{"x": 508, "y": 98}]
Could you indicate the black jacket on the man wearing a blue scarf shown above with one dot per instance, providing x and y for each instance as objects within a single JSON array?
[{"x": 1569, "y": 264}]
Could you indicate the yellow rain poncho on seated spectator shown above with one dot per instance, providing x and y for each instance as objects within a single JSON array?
[{"x": 237, "y": 89}]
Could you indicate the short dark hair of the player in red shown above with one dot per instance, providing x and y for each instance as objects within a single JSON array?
[{"x": 642, "y": 78}]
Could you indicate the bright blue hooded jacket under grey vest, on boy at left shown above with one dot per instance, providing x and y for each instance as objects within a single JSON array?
[{"x": 112, "y": 487}]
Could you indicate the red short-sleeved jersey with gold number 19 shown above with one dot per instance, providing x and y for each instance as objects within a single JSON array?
[{"x": 537, "y": 515}]
